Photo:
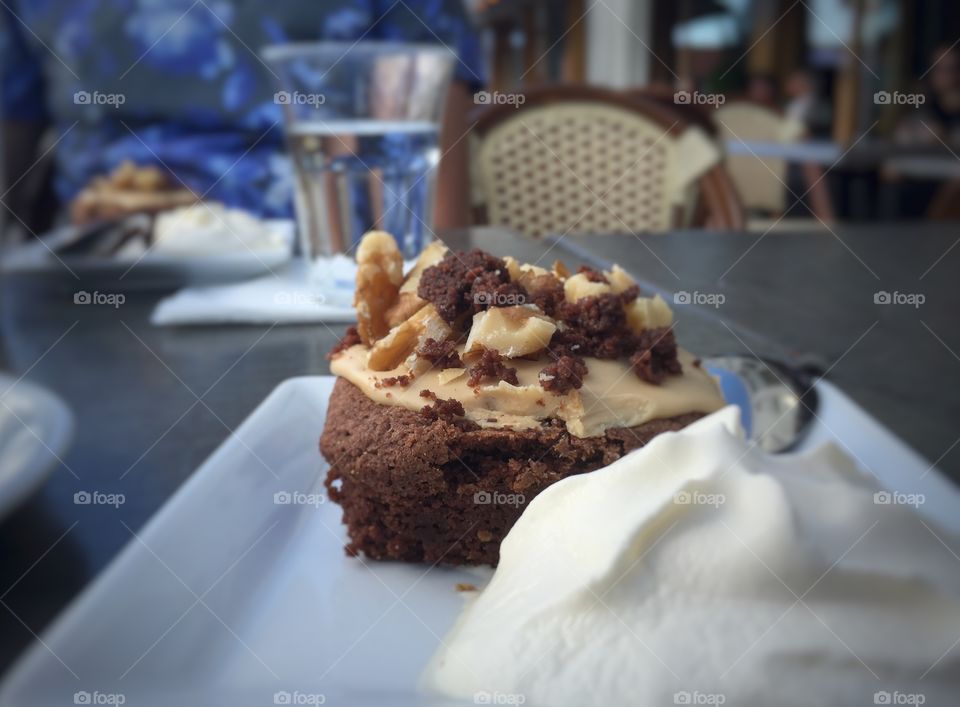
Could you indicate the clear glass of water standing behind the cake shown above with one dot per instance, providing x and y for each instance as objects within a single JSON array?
[{"x": 362, "y": 121}]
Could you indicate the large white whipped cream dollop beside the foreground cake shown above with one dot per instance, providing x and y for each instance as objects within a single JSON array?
[{"x": 700, "y": 570}]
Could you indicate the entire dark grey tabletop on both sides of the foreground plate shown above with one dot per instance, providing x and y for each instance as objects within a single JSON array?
[{"x": 152, "y": 403}]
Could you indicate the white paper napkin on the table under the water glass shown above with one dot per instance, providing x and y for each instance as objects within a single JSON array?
[{"x": 300, "y": 293}]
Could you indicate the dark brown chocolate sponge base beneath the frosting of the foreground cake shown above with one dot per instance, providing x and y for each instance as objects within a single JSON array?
[{"x": 418, "y": 490}]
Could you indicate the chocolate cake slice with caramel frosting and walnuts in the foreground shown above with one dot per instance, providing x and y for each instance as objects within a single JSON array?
[{"x": 475, "y": 382}]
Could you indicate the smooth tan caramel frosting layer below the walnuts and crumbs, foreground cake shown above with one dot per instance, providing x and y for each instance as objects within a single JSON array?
[{"x": 611, "y": 395}]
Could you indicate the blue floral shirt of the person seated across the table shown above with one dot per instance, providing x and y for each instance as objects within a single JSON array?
[{"x": 179, "y": 84}]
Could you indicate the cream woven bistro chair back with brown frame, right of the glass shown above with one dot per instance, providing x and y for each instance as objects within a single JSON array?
[{"x": 577, "y": 159}]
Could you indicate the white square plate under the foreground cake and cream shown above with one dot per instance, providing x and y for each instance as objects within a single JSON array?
[{"x": 229, "y": 597}]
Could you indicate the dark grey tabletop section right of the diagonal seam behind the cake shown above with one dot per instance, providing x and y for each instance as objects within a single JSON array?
[{"x": 874, "y": 306}]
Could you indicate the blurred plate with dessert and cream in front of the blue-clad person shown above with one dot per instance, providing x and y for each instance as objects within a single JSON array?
[{"x": 134, "y": 229}]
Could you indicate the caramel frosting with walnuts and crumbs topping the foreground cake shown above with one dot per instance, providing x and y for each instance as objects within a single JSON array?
[{"x": 534, "y": 344}]
